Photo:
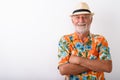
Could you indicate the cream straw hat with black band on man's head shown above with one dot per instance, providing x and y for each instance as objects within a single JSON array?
[{"x": 82, "y": 8}]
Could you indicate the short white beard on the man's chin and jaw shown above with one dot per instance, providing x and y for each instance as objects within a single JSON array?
[{"x": 82, "y": 28}]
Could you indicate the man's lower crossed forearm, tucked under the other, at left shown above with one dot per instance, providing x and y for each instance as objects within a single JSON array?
[{"x": 68, "y": 69}]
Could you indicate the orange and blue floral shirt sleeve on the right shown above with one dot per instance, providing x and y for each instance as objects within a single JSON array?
[{"x": 104, "y": 50}]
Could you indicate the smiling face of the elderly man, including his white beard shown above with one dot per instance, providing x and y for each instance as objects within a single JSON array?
[{"x": 82, "y": 22}]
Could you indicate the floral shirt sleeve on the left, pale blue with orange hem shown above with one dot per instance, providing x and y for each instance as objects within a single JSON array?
[{"x": 63, "y": 52}]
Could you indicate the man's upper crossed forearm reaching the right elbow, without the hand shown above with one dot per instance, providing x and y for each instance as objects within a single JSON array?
[{"x": 96, "y": 65}]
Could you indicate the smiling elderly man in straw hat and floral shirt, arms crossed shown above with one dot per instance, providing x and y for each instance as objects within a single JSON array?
[{"x": 83, "y": 55}]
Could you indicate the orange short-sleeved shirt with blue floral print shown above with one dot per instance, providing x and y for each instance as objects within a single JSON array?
[{"x": 94, "y": 47}]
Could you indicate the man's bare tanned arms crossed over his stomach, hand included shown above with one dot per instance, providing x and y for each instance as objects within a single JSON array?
[{"x": 78, "y": 65}]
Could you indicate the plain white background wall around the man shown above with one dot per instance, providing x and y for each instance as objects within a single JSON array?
[{"x": 30, "y": 31}]
